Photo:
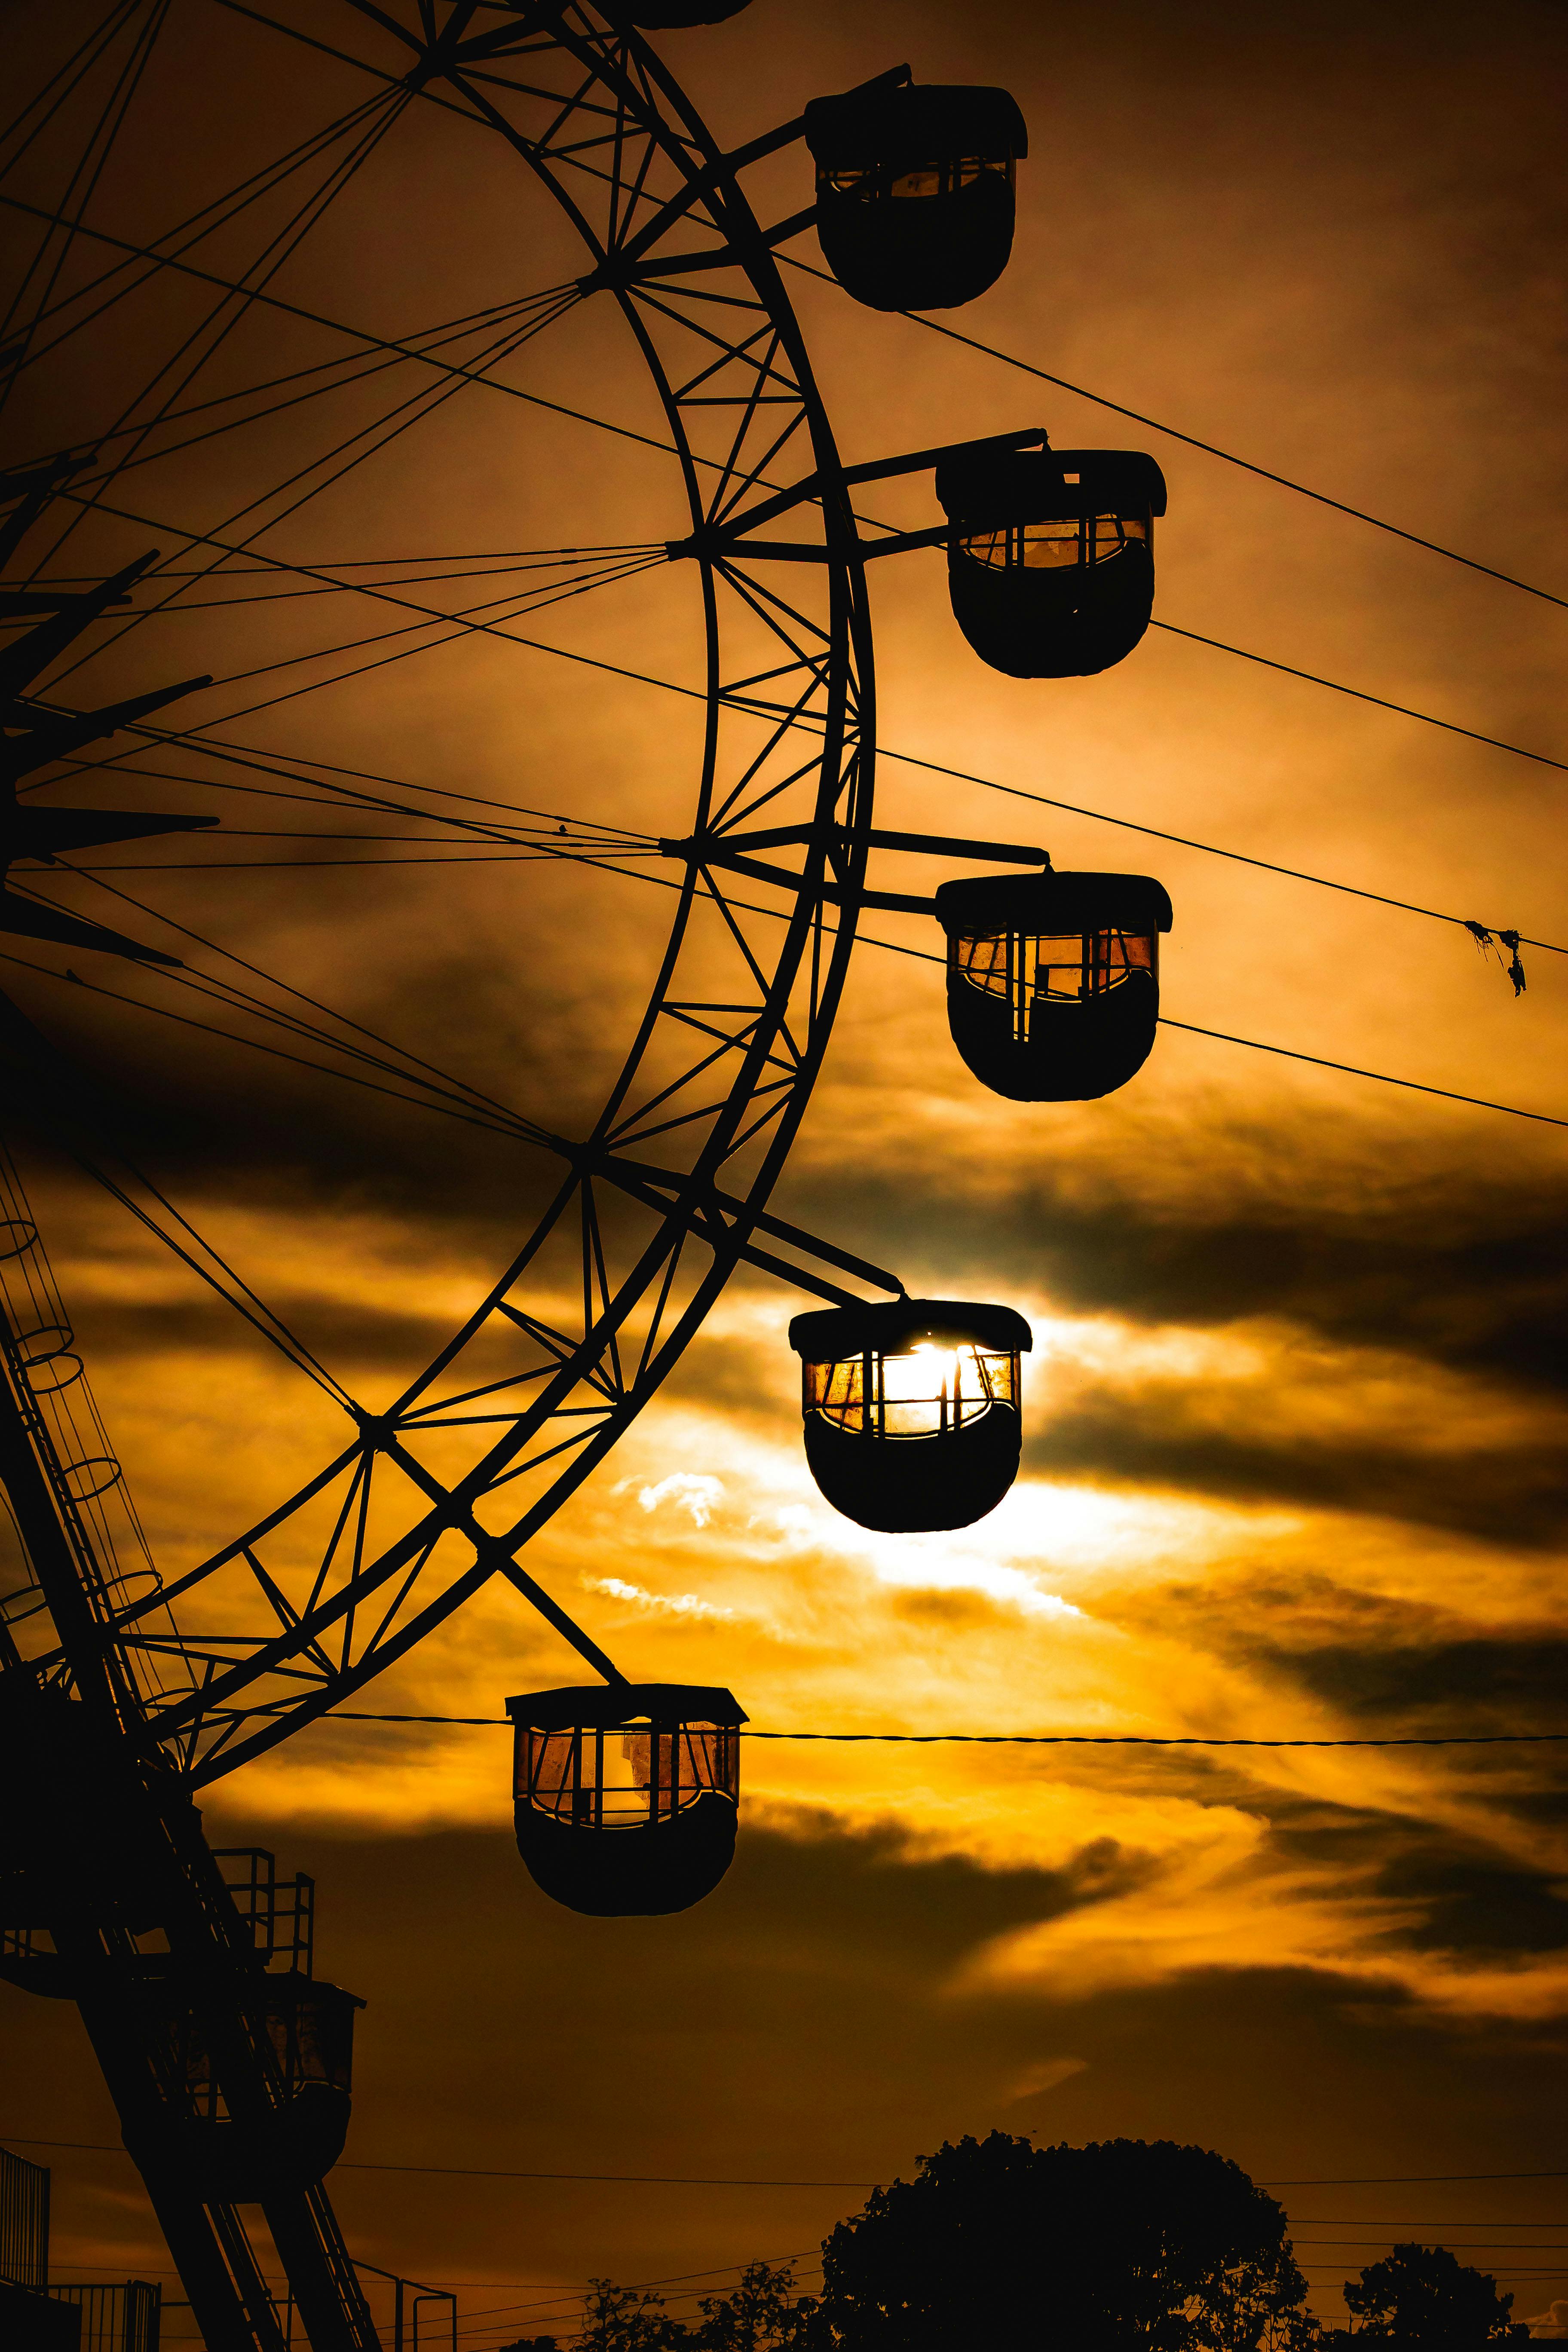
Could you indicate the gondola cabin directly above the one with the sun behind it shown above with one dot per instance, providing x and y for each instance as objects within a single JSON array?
[{"x": 1054, "y": 980}]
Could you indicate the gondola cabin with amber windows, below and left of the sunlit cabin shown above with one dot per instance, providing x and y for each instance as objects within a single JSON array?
[{"x": 626, "y": 1796}]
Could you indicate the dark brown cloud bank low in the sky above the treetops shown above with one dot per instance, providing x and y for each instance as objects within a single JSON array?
[{"x": 796, "y": 2026}]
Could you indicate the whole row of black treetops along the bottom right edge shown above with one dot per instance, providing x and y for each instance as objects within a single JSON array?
[{"x": 1068, "y": 2250}]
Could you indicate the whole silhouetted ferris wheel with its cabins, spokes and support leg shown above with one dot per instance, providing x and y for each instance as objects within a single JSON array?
[{"x": 232, "y": 2078}]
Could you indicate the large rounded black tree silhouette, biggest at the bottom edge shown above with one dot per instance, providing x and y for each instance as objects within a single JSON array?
[{"x": 1120, "y": 2243}]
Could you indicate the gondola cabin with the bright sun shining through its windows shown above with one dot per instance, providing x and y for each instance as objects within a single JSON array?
[{"x": 911, "y": 1410}]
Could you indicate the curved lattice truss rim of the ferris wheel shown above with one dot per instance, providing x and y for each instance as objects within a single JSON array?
[{"x": 702, "y": 1194}]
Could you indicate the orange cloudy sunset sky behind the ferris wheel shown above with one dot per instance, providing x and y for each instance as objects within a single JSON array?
[{"x": 1296, "y": 1408}]
